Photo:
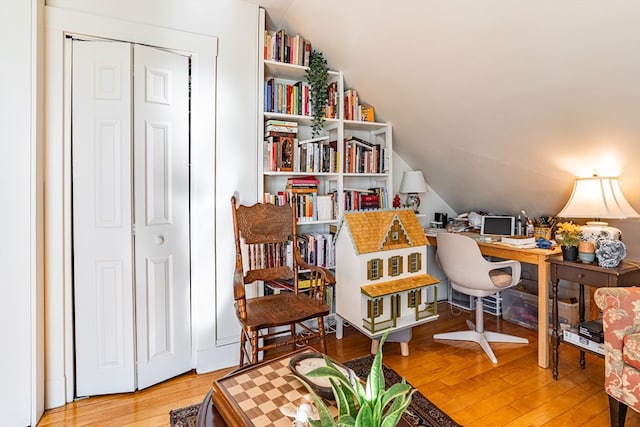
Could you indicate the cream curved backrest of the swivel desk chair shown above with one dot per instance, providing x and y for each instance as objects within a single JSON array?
[{"x": 463, "y": 263}]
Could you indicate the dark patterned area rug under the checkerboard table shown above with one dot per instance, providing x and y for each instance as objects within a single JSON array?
[{"x": 421, "y": 412}]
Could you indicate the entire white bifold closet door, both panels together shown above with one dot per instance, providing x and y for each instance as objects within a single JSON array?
[{"x": 130, "y": 179}]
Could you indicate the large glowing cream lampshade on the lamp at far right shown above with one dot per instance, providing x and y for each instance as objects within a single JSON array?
[{"x": 597, "y": 197}]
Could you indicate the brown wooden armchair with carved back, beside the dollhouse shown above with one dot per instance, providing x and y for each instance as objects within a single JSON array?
[{"x": 267, "y": 252}]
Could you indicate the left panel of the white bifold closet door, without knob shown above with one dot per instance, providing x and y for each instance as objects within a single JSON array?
[{"x": 102, "y": 218}]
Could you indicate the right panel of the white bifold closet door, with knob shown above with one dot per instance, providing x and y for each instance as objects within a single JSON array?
[{"x": 161, "y": 187}]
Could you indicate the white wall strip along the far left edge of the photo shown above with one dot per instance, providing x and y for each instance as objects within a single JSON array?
[{"x": 21, "y": 367}]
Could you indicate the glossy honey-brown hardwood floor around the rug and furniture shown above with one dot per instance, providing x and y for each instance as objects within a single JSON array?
[{"x": 456, "y": 376}]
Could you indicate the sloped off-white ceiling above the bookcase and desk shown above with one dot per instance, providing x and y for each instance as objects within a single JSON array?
[{"x": 500, "y": 103}]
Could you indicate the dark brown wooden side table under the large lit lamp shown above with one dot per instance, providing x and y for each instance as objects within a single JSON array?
[{"x": 625, "y": 274}]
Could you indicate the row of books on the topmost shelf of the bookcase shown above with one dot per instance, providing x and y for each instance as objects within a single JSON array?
[{"x": 282, "y": 47}]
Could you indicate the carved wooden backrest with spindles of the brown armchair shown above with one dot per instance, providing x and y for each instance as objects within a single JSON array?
[{"x": 265, "y": 243}]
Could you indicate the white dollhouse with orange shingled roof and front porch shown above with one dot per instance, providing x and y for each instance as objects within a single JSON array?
[{"x": 381, "y": 272}]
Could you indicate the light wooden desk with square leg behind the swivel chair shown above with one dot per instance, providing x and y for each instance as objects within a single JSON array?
[{"x": 534, "y": 256}]
